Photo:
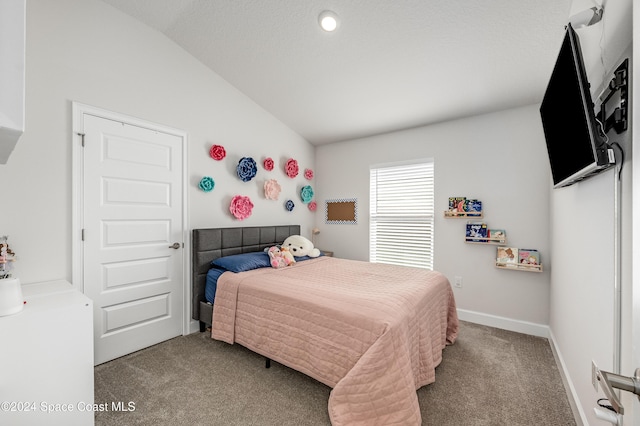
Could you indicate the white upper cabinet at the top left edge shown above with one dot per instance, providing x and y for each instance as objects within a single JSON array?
[{"x": 12, "y": 71}]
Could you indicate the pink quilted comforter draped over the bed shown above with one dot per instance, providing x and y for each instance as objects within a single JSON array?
[{"x": 372, "y": 332}]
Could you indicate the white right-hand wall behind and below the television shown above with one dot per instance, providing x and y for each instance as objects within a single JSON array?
[{"x": 582, "y": 229}]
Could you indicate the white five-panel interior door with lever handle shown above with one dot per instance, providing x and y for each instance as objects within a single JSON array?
[{"x": 132, "y": 246}]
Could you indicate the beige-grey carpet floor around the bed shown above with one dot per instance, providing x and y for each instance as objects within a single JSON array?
[{"x": 488, "y": 377}]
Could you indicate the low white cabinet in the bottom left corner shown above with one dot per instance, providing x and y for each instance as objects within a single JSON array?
[{"x": 46, "y": 358}]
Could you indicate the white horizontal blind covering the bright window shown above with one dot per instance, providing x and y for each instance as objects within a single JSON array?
[{"x": 402, "y": 214}]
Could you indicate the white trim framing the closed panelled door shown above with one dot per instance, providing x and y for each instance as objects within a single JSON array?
[{"x": 77, "y": 219}]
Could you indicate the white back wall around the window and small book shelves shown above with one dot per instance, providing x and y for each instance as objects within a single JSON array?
[{"x": 498, "y": 158}]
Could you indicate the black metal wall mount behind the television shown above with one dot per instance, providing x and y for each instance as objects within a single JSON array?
[{"x": 617, "y": 118}]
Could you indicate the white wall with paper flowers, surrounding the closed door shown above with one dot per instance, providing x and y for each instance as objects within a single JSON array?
[{"x": 86, "y": 51}]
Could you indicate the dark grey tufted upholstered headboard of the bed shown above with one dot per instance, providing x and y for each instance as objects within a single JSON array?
[{"x": 212, "y": 243}]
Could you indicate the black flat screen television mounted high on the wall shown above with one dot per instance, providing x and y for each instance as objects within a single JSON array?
[{"x": 577, "y": 149}]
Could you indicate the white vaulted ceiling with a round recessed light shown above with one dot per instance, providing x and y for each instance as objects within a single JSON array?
[{"x": 391, "y": 64}]
